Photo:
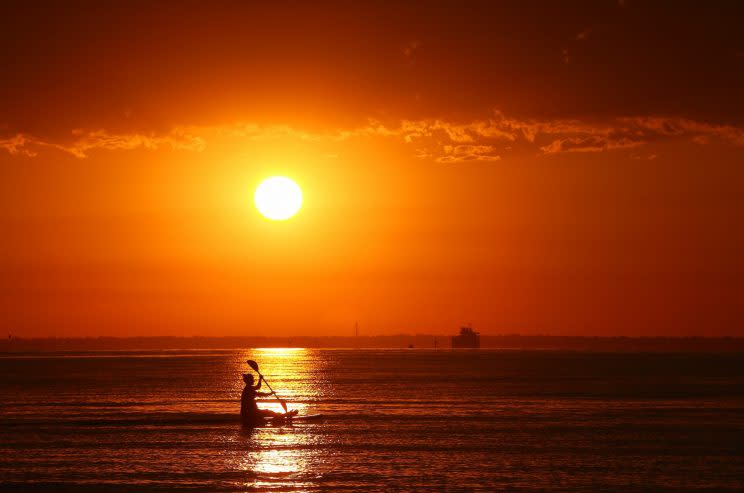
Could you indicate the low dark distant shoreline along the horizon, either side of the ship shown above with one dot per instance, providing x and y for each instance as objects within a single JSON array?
[{"x": 419, "y": 341}]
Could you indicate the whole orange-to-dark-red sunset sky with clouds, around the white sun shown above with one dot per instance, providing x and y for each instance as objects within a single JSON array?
[{"x": 533, "y": 167}]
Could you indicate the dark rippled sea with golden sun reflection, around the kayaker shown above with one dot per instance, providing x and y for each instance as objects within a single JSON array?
[{"x": 396, "y": 420}]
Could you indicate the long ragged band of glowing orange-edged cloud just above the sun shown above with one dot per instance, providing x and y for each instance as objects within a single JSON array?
[{"x": 485, "y": 140}]
